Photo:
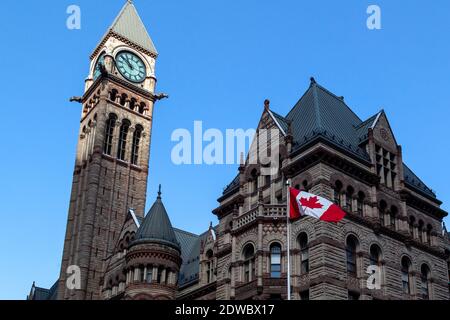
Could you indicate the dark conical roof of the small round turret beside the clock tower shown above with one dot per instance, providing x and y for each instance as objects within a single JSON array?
[{"x": 156, "y": 226}]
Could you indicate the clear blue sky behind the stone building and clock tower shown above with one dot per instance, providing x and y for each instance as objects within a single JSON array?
[{"x": 218, "y": 61}]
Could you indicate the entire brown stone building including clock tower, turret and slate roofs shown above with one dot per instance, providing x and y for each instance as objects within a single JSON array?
[{"x": 393, "y": 222}]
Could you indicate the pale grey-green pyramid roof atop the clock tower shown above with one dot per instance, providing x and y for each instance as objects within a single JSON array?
[{"x": 129, "y": 25}]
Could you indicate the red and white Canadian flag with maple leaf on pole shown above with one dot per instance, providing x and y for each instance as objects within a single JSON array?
[{"x": 304, "y": 203}]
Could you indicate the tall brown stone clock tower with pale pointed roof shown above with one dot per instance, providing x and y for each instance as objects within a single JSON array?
[{"x": 112, "y": 159}]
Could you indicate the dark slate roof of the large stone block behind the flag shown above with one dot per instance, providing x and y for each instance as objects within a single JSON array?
[{"x": 321, "y": 114}]
